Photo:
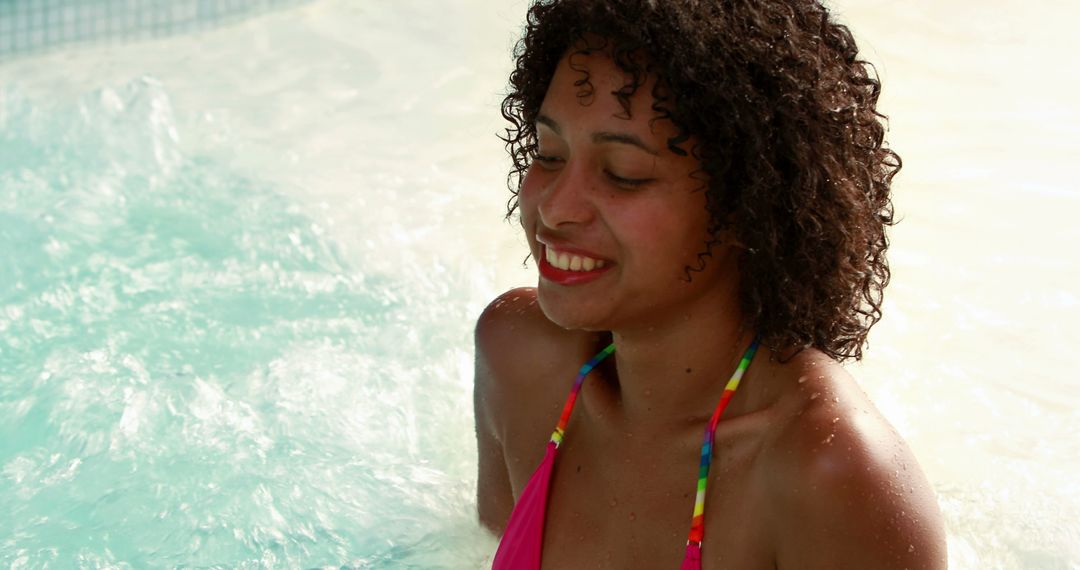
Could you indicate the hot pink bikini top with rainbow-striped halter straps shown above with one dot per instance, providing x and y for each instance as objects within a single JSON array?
[{"x": 523, "y": 540}]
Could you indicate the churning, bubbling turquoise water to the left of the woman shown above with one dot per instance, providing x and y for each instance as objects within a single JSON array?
[{"x": 194, "y": 374}]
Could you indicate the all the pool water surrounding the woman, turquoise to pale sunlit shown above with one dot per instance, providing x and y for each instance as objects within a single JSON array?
[{"x": 239, "y": 273}]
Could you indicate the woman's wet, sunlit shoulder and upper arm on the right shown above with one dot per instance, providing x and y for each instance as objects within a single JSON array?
[{"x": 850, "y": 493}]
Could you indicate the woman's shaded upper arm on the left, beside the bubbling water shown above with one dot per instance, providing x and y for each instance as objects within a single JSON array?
[{"x": 495, "y": 499}]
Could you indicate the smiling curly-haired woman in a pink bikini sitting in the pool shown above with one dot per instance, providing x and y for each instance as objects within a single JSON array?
[{"x": 706, "y": 191}]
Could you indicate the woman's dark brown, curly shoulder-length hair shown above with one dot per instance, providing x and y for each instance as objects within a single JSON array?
[{"x": 771, "y": 97}]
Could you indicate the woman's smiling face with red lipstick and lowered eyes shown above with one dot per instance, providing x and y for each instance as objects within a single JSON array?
[{"x": 601, "y": 191}]
